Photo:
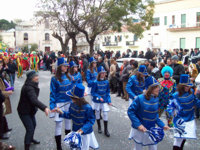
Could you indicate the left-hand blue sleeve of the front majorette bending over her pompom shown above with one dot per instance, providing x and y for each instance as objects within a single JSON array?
[{"x": 132, "y": 111}]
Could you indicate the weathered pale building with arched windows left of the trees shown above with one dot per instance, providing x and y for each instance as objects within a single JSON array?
[{"x": 30, "y": 32}]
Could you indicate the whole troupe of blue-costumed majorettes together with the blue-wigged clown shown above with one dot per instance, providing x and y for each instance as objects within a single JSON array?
[{"x": 149, "y": 98}]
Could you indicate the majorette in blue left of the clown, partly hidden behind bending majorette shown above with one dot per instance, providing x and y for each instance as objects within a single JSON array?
[{"x": 135, "y": 85}]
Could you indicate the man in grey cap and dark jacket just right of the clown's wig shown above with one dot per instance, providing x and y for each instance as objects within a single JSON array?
[{"x": 178, "y": 68}]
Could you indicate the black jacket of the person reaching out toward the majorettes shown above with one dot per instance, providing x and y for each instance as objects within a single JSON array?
[{"x": 29, "y": 103}]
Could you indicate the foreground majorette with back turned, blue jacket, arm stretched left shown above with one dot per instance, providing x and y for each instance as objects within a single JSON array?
[{"x": 82, "y": 116}]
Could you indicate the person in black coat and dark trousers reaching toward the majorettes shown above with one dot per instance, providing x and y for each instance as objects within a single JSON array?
[{"x": 28, "y": 105}]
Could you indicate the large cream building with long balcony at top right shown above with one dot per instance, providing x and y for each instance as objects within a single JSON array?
[{"x": 176, "y": 25}]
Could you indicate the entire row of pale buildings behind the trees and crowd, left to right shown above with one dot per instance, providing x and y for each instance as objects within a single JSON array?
[{"x": 176, "y": 24}]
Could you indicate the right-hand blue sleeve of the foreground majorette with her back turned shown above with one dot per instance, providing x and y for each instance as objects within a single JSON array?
[{"x": 90, "y": 120}]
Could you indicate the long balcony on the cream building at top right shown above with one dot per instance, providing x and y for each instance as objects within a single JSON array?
[{"x": 184, "y": 27}]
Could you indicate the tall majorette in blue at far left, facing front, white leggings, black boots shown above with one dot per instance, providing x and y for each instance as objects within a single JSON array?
[{"x": 60, "y": 83}]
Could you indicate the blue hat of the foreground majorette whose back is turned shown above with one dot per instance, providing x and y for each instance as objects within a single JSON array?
[{"x": 77, "y": 91}]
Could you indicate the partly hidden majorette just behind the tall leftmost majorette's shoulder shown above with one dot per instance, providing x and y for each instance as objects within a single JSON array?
[{"x": 74, "y": 74}]
